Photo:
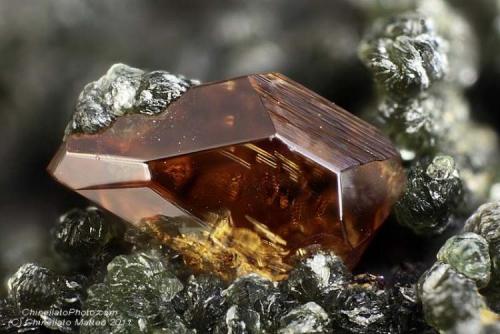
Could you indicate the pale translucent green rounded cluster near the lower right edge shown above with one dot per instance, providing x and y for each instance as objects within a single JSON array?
[{"x": 468, "y": 254}]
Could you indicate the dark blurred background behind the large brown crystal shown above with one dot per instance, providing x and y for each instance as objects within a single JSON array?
[{"x": 50, "y": 48}]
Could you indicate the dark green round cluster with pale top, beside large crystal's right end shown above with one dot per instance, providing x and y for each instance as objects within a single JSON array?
[{"x": 433, "y": 192}]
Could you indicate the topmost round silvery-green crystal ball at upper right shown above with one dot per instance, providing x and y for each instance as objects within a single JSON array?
[{"x": 405, "y": 54}]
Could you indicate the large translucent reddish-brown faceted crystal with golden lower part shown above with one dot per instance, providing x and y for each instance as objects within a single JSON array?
[{"x": 254, "y": 171}]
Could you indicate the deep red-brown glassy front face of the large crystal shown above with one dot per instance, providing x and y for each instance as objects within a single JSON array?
[{"x": 264, "y": 186}]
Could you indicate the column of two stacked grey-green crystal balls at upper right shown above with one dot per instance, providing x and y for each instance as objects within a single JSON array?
[{"x": 406, "y": 57}]
